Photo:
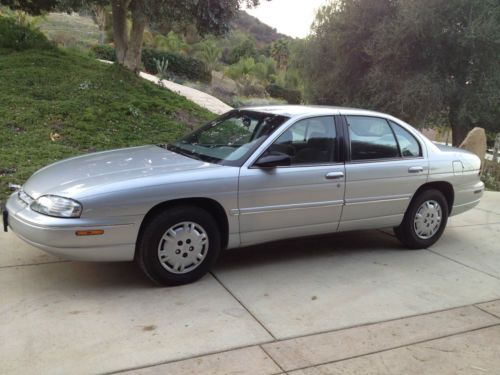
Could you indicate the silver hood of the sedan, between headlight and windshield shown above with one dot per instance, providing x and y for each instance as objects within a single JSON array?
[{"x": 87, "y": 173}]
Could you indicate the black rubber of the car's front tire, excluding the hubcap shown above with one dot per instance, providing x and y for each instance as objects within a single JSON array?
[{"x": 155, "y": 228}]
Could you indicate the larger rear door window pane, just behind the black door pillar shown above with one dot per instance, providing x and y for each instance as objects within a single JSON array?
[{"x": 371, "y": 138}]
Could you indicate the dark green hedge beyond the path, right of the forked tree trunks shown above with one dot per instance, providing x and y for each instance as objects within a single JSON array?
[{"x": 186, "y": 67}]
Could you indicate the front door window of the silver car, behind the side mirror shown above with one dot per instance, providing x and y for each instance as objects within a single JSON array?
[{"x": 308, "y": 141}]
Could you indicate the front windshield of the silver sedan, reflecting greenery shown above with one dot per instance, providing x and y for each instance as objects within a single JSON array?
[{"x": 230, "y": 139}]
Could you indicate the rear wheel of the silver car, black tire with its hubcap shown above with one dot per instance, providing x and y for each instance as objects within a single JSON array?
[{"x": 422, "y": 232}]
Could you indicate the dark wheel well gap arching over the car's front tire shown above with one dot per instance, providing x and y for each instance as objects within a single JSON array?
[{"x": 211, "y": 206}]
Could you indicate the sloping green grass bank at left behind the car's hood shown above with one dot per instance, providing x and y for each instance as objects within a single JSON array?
[{"x": 59, "y": 103}]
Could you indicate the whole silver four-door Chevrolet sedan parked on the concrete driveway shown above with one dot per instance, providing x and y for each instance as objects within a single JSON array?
[{"x": 251, "y": 176}]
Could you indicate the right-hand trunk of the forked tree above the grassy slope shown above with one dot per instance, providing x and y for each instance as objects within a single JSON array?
[{"x": 133, "y": 55}]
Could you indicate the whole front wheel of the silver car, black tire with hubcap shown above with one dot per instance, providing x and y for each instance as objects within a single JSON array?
[{"x": 178, "y": 246}]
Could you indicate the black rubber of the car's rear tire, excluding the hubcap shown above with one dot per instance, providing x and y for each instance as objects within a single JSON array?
[{"x": 406, "y": 231}]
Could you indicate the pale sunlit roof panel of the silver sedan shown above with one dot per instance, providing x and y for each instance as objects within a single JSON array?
[{"x": 300, "y": 110}]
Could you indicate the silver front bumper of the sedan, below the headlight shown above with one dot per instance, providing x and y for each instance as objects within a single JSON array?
[{"x": 58, "y": 235}]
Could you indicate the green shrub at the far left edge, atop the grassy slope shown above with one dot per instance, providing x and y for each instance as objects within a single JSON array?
[{"x": 19, "y": 38}]
